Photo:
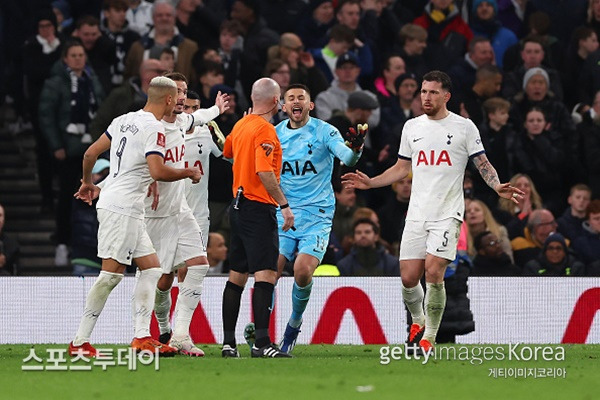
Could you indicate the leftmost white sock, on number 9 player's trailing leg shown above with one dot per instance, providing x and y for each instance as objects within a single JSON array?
[{"x": 94, "y": 304}]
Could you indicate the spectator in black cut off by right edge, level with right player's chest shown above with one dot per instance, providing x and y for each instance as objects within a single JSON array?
[{"x": 589, "y": 133}]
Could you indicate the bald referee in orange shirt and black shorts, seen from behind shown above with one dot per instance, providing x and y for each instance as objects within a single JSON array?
[{"x": 256, "y": 152}]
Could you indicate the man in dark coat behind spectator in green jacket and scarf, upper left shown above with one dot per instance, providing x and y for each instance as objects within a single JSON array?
[{"x": 100, "y": 50}]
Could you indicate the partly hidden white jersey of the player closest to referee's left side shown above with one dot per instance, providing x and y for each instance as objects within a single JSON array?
[{"x": 199, "y": 147}]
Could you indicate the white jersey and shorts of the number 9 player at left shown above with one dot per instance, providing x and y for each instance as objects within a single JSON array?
[{"x": 122, "y": 233}]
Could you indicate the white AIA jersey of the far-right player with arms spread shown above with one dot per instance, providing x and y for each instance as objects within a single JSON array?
[{"x": 439, "y": 151}]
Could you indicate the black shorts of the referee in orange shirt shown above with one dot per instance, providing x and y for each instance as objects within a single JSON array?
[{"x": 254, "y": 237}]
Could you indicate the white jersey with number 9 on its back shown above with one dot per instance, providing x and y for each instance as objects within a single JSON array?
[{"x": 133, "y": 137}]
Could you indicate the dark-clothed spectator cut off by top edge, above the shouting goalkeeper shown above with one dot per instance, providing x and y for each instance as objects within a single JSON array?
[{"x": 317, "y": 20}]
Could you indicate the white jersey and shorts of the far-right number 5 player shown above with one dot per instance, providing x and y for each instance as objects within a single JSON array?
[{"x": 439, "y": 151}]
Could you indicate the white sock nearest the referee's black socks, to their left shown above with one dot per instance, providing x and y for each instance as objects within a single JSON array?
[{"x": 187, "y": 299}]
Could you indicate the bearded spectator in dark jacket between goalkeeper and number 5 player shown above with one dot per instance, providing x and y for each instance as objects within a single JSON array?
[{"x": 366, "y": 258}]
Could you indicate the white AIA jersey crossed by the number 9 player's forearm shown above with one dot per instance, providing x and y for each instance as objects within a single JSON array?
[{"x": 172, "y": 194}]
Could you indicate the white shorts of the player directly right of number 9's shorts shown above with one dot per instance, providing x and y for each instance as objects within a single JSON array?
[{"x": 177, "y": 239}]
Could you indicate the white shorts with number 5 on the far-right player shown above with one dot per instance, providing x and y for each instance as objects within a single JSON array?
[{"x": 438, "y": 238}]
